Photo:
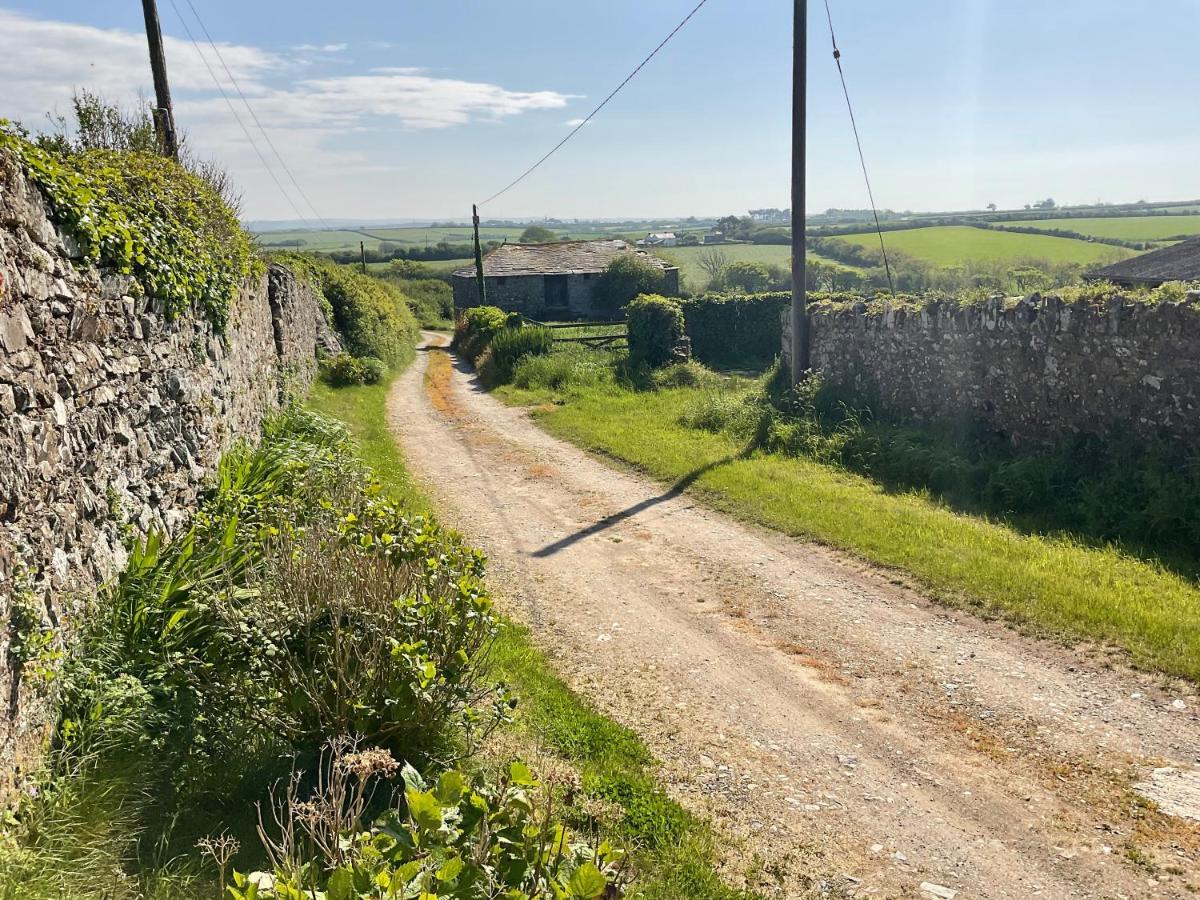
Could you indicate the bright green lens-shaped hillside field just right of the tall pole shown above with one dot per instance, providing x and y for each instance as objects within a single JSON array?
[{"x": 952, "y": 245}]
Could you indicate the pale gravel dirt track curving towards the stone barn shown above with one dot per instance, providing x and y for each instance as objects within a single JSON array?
[{"x": 830, "y": 719}]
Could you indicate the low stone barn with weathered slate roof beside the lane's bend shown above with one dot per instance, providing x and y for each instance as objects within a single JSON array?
[{"x": 549, "y": 281}]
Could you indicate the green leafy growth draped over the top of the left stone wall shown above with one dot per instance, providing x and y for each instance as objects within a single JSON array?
[{"x": 143, "y": 215}]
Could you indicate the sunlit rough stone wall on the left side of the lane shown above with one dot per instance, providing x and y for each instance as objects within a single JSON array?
[{"x": 111, "y": 419}]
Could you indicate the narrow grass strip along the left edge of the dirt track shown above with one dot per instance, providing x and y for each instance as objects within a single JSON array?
[{"x": 676, "y": 851}]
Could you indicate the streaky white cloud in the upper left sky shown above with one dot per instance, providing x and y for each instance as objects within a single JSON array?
[{"x": 311, "y": 121}]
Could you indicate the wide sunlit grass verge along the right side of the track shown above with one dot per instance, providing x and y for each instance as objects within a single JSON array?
[{"x": 1053, "y": 584}]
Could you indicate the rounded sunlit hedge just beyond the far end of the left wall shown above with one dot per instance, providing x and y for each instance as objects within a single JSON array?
[{"x": 373, "y": 316}]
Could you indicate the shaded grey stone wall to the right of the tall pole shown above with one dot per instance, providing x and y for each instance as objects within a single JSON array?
[{"x": 1037, "y": 369}]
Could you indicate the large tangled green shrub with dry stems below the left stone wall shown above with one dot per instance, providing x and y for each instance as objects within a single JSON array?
[{"x": 299, "y": 605}]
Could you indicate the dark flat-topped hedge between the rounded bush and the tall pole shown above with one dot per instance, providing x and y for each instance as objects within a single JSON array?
[{"x": 742, "y": 329}]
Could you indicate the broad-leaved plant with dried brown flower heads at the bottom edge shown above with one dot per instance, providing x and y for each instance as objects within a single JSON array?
[{"x": 471, "y": 839}]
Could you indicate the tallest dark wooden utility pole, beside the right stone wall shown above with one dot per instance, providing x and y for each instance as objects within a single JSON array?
[{"x": 800, "y": 121}]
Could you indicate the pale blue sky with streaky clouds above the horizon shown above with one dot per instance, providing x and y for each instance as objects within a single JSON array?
[{"x": 415, "y": 109}]
